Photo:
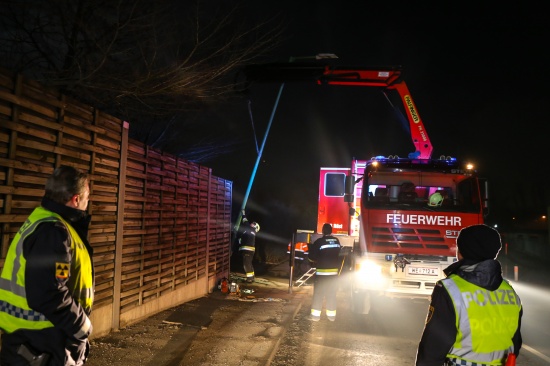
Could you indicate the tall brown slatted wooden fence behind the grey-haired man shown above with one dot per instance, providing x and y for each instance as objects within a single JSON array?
[{"x": 161, "y": 226}]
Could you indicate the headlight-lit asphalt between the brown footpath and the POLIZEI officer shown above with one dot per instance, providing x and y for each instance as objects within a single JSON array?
[{"x": 387, "y": 336}]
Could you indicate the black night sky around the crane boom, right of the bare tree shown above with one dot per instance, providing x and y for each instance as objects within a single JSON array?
[{"x": 478, "y": 75}]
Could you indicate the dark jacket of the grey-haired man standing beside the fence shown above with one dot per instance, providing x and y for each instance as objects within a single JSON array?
[{"x": 48, "y": 245}]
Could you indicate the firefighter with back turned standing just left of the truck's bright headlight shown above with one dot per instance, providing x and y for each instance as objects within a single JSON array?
[{"x": 324, "y": 255}]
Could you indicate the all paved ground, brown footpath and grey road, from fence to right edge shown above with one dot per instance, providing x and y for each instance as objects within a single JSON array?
[{"x": 268, "y": 325}]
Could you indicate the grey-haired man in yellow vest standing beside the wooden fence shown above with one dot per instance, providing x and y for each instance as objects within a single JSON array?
[{"x": 46, "y": 284}]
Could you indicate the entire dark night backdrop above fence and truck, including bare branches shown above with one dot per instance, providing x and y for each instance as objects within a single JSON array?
[{"x": 477, "y": 73}]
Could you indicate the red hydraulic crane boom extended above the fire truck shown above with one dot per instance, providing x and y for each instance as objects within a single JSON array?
[{"x": 388, "y": 78}]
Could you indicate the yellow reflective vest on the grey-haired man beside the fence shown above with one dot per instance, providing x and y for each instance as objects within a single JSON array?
[{"x": 15, "y": 312}]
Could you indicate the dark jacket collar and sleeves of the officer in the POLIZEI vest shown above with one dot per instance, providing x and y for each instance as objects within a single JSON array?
[{"x": 440, "y": 331}]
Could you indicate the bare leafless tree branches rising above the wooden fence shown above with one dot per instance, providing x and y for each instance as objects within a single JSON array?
[{"x": 153, "y": 63}]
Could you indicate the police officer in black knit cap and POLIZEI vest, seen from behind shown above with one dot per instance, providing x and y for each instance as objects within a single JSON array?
[{"x": 474, "y": 316}]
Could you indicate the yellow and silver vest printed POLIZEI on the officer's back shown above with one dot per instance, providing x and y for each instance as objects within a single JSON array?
[{"x": 486, "y": 321}]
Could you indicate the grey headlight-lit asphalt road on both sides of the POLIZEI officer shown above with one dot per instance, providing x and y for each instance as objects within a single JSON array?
[{"x": 389, "y": 335}]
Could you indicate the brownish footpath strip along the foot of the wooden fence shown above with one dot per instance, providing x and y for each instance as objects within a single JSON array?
[{"x": 219, "y": 329}]
